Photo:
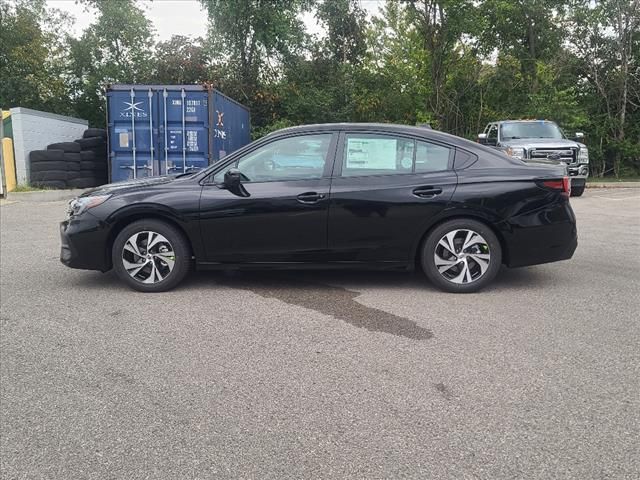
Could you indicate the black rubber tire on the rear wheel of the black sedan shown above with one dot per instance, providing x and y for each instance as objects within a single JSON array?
[{"x": 454, "y": 279}]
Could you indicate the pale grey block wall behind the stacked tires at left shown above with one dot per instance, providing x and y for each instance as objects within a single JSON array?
[{"x": 34, "y": 130}]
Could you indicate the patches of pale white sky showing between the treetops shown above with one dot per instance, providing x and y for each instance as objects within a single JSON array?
[{"x": 177, "y": 17}]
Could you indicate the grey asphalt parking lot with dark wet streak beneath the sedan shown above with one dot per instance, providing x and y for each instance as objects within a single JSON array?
[{"x": 323, "y": 375}]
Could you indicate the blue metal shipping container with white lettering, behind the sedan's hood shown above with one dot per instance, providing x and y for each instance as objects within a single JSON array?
[{"x": 167, "y": 129}]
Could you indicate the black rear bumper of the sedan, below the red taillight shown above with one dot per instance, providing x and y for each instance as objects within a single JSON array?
[{"x": 544, "y": 236}]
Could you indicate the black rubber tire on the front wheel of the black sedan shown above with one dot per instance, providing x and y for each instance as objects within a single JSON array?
[{"x": 175, "y": 242}]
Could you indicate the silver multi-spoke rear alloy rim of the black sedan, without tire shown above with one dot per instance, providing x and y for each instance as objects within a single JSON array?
[{"x": 462, "y": 256}]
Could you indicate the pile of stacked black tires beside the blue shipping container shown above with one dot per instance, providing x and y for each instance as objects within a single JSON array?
[{"x": 78, "y": 164}]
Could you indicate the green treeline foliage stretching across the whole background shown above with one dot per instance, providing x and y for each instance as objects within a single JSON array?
[{"x": 456, "y": 64}]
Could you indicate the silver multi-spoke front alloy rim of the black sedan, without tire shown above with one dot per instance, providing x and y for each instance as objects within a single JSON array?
[{"x": 148, "y": 257}]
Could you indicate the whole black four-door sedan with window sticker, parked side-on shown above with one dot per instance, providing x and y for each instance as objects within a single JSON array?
[{"x": 331, "y": 196}]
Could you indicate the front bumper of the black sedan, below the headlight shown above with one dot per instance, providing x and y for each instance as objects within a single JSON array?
[{"x": 84, "y": 243}]
